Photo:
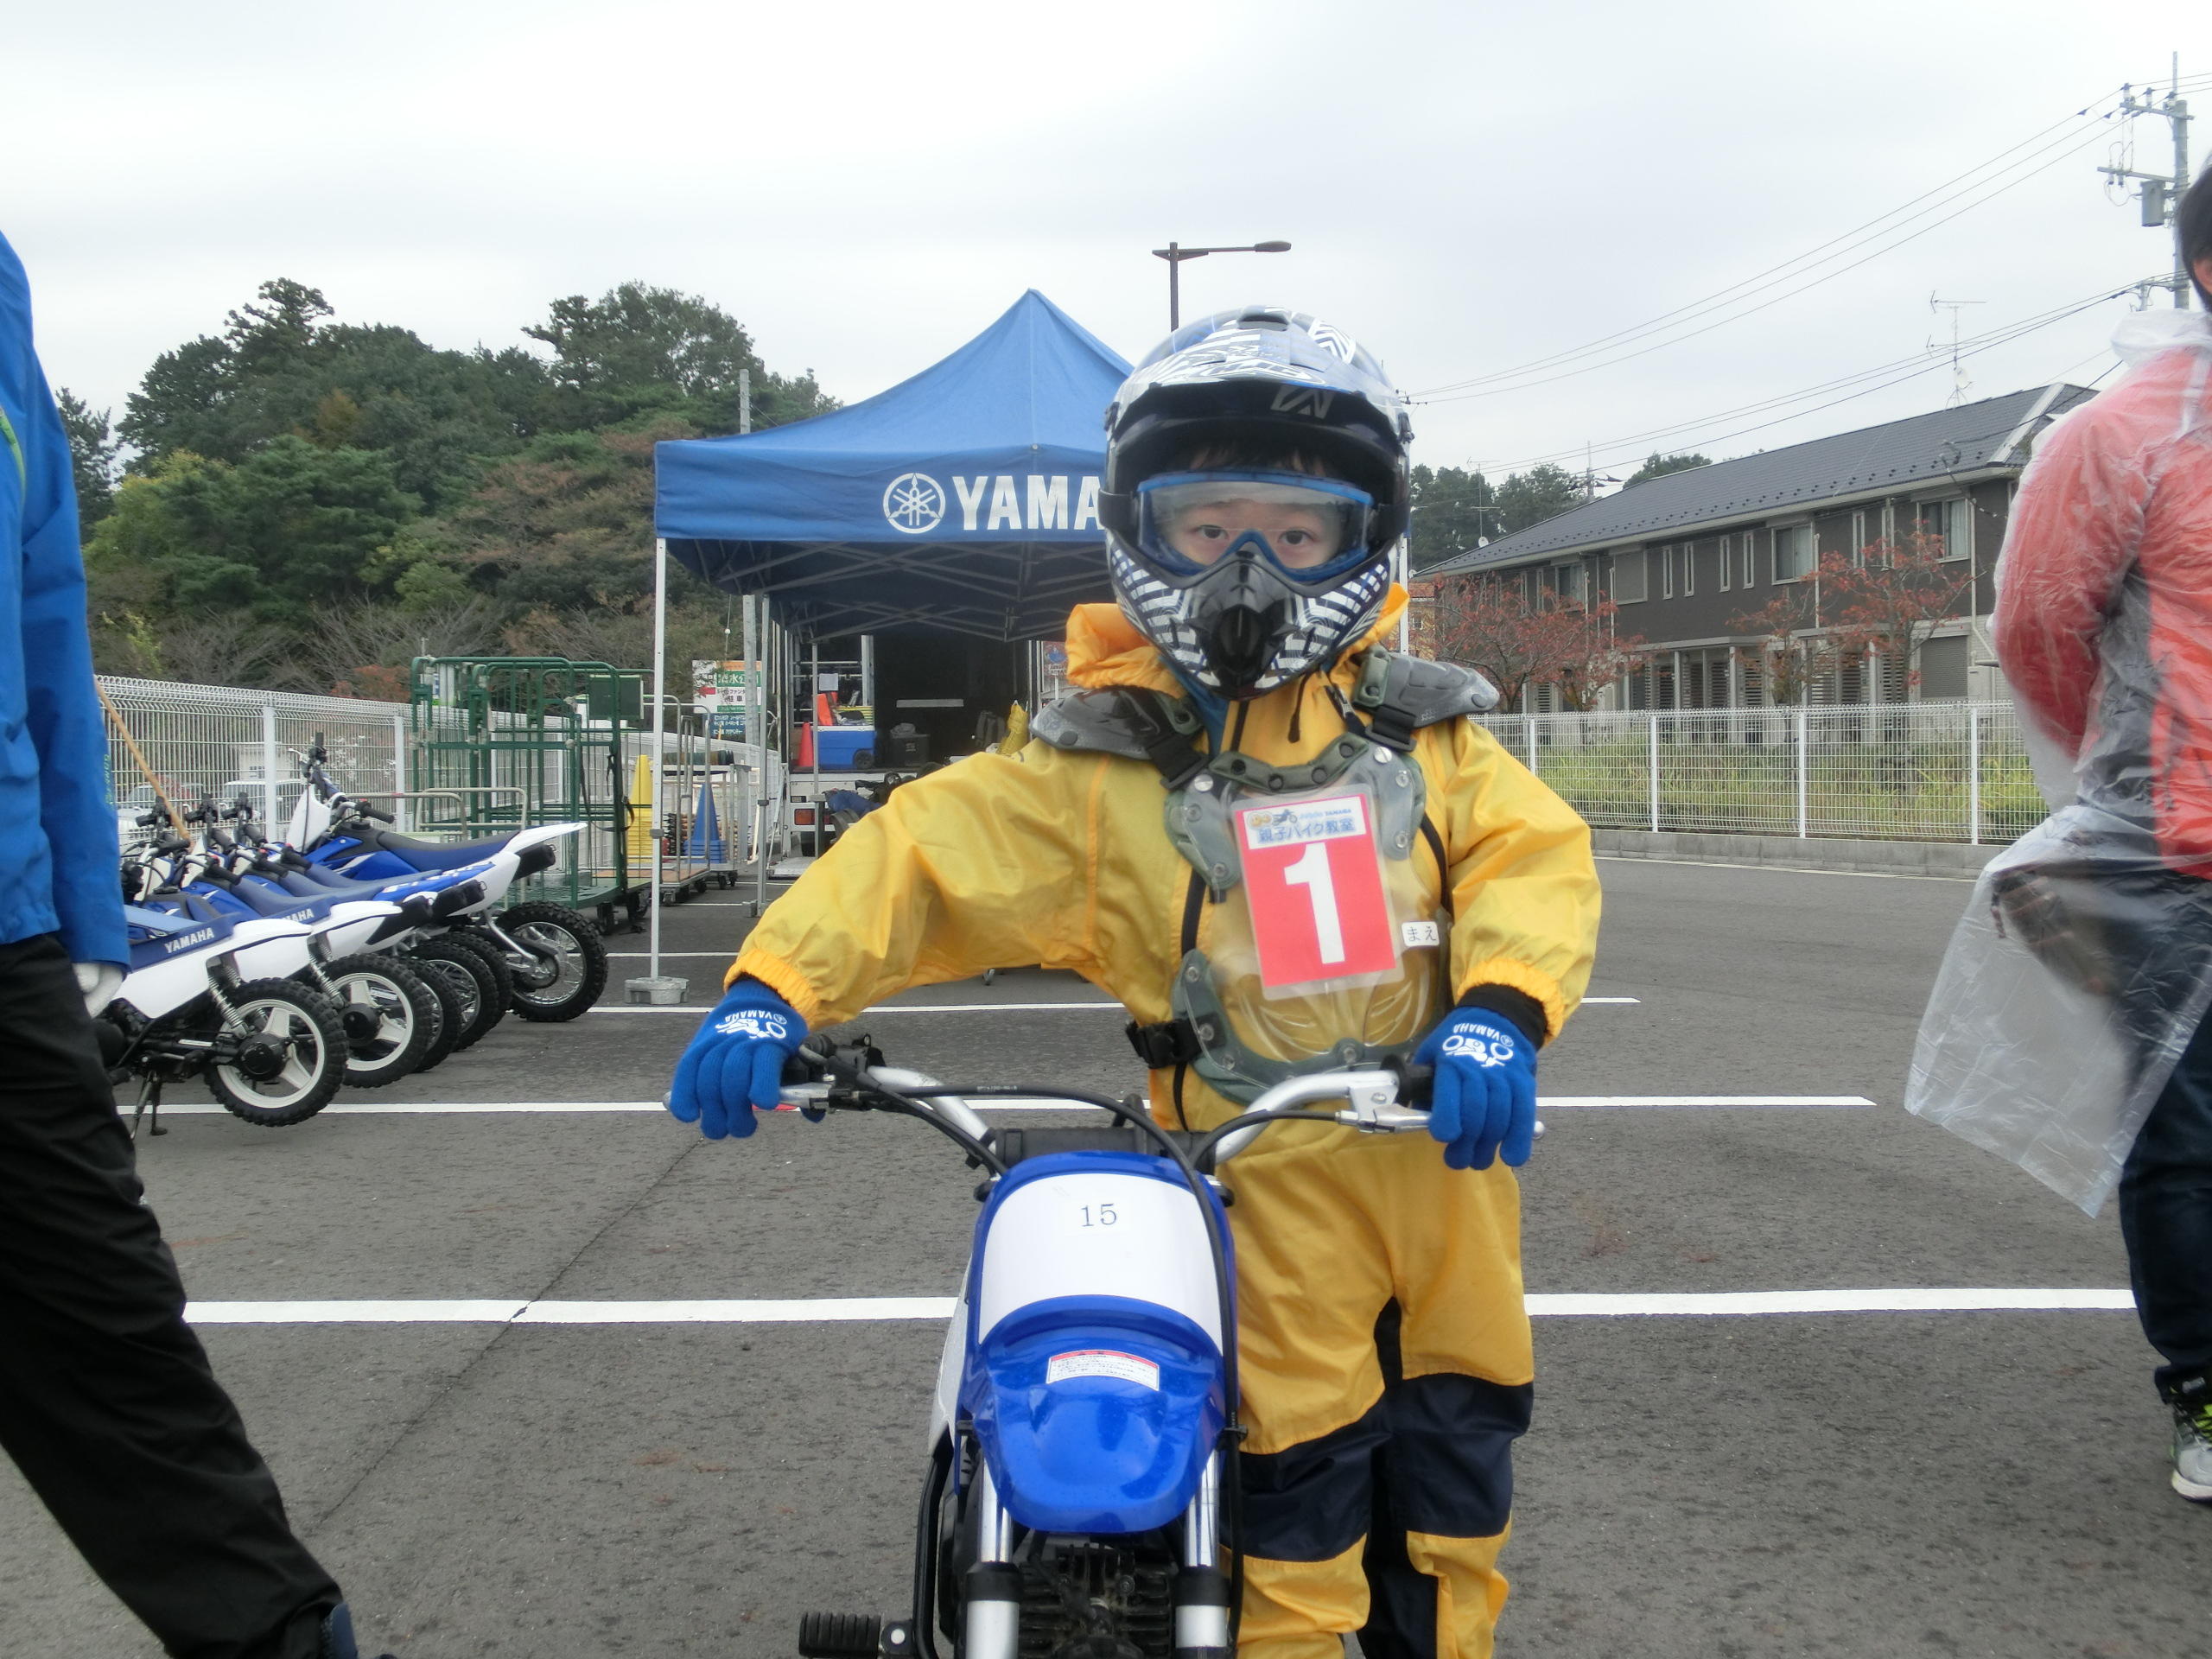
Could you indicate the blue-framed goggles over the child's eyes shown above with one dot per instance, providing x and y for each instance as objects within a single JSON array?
[{"x": 1311, "y": 530}]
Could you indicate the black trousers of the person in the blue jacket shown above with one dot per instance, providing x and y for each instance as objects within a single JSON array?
[{"x": 107, "y": 1401}]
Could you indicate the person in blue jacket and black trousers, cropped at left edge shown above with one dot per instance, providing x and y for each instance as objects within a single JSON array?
[{"x": 107, "y": 1401}]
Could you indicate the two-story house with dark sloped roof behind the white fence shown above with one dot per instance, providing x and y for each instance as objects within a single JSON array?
[{"x": 1687, "y": 559}]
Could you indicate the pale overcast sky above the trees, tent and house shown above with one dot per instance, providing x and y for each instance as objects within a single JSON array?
[{"x": 1468, "y": 187}]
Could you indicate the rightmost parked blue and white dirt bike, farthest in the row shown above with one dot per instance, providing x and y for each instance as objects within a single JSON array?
[{"x": 547, "y": 961}]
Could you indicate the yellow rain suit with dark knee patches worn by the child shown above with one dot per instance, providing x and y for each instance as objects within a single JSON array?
[{"x": 1379, "y": 1291}]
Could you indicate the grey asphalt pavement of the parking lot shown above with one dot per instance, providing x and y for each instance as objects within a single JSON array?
[{"x": 689, "y": 1483}]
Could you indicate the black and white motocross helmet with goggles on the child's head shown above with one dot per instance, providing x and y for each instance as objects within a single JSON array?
[{"x": 1255, "y": 488}]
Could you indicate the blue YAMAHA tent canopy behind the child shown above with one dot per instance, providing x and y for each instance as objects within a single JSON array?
[{"x": 963, "y": 499}]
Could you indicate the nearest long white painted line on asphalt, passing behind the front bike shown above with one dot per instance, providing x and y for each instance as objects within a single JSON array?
[{"x": 917, "y": 1308}]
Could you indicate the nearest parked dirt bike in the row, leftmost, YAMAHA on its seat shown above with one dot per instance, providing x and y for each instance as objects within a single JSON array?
[{"x": 216, "y": 999}]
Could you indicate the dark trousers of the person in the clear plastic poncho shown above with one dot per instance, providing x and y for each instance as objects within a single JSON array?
[{"x": 2167, "y": 1218}]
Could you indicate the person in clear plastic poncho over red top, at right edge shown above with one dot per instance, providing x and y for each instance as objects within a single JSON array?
[{"x": 2067, "y": 1027}]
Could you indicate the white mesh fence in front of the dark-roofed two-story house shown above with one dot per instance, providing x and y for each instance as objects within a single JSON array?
[{"x": 1881, "y": 773}]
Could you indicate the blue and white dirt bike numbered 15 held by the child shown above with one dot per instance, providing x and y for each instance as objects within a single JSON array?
[{"x": 1083, "y": 1448}]
